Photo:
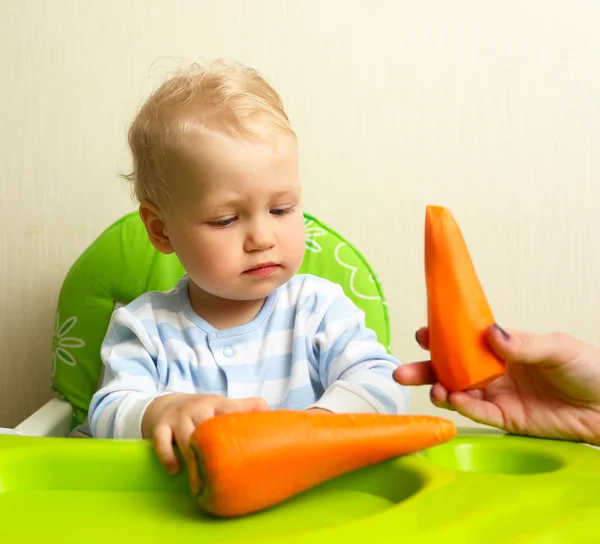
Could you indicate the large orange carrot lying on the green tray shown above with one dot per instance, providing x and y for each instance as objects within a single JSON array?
[{"x": 245, "y": 462}]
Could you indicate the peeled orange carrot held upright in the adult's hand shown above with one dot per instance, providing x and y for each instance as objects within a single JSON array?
[{"x": 458, "y": 312}]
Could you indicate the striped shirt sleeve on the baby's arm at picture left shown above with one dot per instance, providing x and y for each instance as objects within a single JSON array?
[{"x": 131, "y": 380}]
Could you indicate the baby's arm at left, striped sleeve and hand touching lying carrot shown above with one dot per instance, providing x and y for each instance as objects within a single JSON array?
[{"x": 133, "y": 403}]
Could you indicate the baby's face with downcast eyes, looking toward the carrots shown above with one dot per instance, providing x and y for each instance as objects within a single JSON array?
[{"x": 236, "y": 220}]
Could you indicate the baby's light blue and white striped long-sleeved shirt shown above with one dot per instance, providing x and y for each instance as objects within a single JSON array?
[{"x": 307, "y": 347}]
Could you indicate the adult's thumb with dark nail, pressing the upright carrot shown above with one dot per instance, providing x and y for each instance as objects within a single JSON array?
[{"x": 528, "y": 348}]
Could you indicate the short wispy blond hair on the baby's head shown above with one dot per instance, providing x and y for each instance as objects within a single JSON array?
[{"x": 223, "y": 95}]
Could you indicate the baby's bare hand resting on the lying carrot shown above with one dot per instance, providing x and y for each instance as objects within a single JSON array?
[{"x": 177, "y": 415}]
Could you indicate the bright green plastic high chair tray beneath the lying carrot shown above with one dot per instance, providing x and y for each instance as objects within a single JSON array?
[{"x": 474, "y": 489}]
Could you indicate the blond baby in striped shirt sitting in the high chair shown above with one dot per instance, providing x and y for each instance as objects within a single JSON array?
[{"x": 216, "y": 174}]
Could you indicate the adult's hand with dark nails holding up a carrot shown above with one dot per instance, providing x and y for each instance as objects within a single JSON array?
[{"x": 551, "y": 387}]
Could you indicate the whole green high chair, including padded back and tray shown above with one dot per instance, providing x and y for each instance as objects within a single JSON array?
[{"x": 481, "y": 487}]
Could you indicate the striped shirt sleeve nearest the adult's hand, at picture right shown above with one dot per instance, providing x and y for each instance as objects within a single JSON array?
[{"x": 354, "y": 368}]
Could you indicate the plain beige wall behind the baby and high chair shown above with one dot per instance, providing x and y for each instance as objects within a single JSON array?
[{"x": 489, "y": 108}]
